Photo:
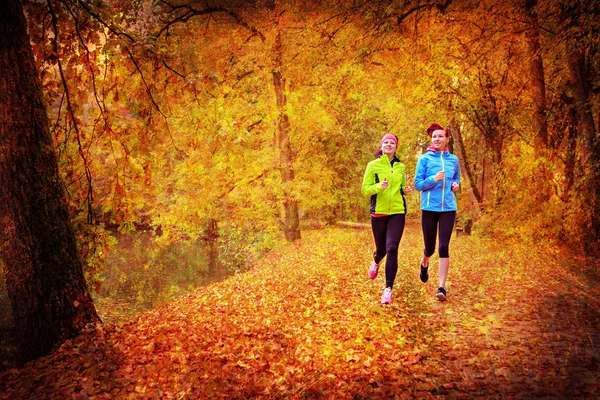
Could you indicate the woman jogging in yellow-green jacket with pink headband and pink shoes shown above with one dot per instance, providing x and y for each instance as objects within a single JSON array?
[{"x": 385, "y": 182}]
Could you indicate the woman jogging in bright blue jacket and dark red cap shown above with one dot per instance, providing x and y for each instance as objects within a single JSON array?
[{"x": 437, "y": 178}]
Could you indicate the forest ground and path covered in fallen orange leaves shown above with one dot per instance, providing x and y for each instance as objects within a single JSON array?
[{"x": 306, "y": 322}]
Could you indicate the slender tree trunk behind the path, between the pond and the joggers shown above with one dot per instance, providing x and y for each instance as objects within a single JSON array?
[{"x": 291, "y": 223}]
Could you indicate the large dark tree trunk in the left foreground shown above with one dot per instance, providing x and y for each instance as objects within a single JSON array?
[{"x": 44, "y": 275}]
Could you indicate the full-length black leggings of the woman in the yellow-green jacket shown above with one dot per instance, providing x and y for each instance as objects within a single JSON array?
[{"x": 387, "y": 232}]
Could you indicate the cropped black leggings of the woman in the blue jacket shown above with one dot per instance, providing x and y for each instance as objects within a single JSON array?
[{"x": 430, "y": 221}]
